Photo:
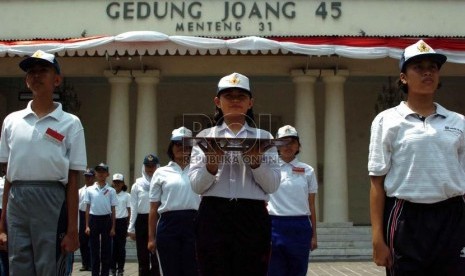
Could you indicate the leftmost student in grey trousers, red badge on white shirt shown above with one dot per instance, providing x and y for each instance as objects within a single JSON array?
[{"x": 44, "y": 149}]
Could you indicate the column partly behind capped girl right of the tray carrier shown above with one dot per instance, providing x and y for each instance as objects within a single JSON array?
[{"x": 305, "y": 122}]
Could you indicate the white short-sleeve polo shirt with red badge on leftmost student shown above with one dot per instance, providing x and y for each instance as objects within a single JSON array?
[{"x": 42, "y": 148}]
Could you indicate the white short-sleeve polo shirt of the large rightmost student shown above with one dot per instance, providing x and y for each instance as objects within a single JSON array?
[{"x": 424, "y": 161}]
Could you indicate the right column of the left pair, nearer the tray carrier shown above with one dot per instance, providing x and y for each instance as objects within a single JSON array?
[{"x": 146, "y": 118}]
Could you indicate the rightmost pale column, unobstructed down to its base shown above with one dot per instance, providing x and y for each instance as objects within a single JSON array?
[{"x": 336, "y": 196}]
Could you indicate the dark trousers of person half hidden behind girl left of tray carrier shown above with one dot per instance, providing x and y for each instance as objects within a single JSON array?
[{"x": 148, "y": 262}]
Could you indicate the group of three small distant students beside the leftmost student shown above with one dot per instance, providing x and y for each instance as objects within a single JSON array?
[{"x": 104, "y": 212}]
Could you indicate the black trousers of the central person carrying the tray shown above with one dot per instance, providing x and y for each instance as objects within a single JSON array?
[{"x": 233, "y": 237}]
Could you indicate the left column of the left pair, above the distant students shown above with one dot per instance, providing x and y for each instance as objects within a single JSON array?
[{"x": 118, "y": 146}]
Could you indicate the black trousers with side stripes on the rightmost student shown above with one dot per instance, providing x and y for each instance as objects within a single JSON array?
[{"x": 426, "y": 239}]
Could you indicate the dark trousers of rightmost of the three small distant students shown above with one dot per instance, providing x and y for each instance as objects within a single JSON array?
[{"x": 118, "y": 259}]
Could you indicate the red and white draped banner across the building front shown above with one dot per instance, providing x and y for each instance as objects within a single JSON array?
[{"x": 151, "y": 43}]
